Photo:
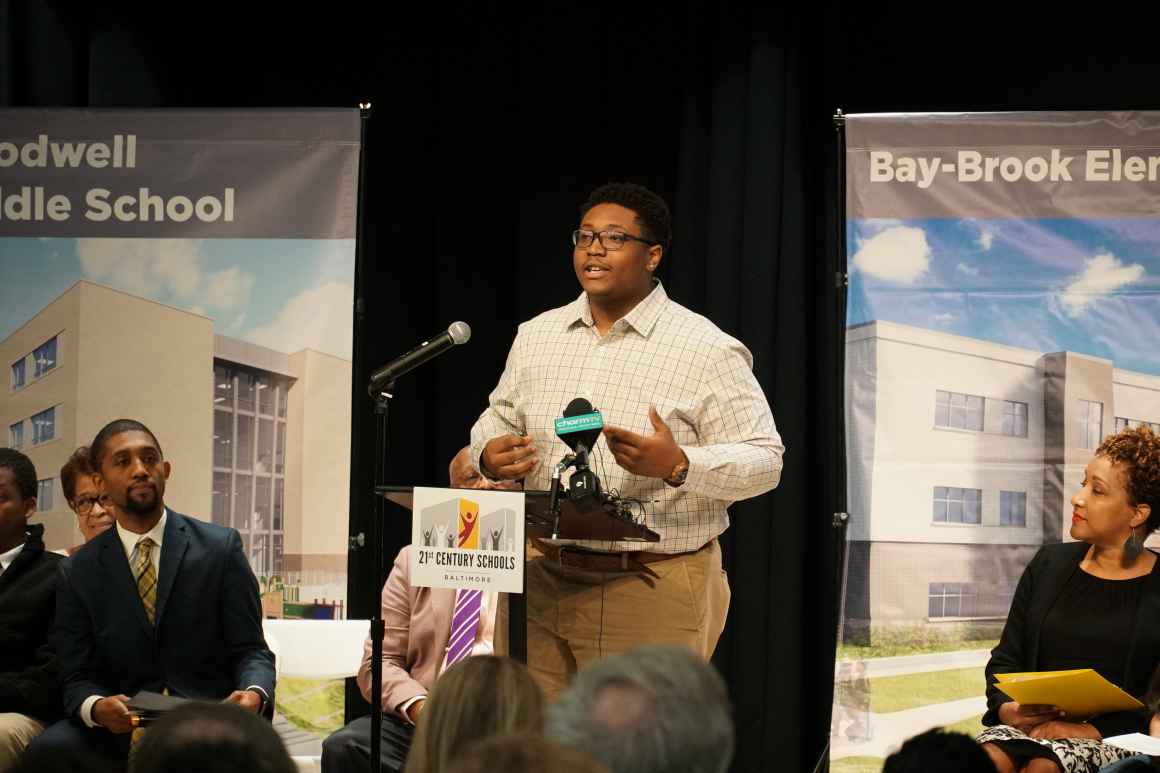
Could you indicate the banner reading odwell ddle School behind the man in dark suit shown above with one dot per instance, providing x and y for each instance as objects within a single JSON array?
[{"x": 193, "y": 270}]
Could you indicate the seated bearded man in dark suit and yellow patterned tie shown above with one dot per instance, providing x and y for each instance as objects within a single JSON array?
[{"x": 161, "y": 603}]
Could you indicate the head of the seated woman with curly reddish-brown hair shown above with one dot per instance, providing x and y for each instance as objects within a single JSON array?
[{"x": 1120, "y": 502}]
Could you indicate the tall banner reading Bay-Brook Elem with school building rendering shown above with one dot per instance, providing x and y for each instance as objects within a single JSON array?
[{"x": 1004, "y": 306}]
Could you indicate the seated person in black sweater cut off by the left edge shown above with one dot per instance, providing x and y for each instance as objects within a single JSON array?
[{"x": 30, "y": 693}]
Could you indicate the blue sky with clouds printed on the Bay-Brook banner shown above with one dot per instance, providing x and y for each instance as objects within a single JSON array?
[{"x": 1086, "y": 286}]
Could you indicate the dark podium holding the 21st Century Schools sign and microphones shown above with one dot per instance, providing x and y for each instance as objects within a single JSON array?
[{"x": 603, "y": 524}]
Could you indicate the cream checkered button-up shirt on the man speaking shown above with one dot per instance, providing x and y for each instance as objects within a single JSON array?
[{"x": 661, "y": 355}]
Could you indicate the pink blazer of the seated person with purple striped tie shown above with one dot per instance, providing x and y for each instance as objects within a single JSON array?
[{"x": 418, "y": 622}]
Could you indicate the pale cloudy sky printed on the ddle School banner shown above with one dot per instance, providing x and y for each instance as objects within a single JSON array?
[{"x": 285, "y": 294}]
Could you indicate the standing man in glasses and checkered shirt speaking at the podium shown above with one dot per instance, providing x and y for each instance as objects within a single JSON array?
[{"x": 686, "y": 423}]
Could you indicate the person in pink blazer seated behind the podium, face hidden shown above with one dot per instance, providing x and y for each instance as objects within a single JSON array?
[{"x": 418, "y": 627}]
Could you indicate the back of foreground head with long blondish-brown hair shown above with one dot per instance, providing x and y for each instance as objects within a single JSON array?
[{"x": 478, "y": 698}]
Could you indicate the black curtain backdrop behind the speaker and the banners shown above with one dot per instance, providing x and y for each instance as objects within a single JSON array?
[{"x": 490, "y": 125}]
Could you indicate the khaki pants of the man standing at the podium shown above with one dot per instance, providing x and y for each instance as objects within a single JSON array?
[{"x": 576, "y": 617}]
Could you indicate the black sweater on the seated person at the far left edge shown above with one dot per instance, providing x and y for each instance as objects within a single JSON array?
[{"x": 30, "y": 677}]
